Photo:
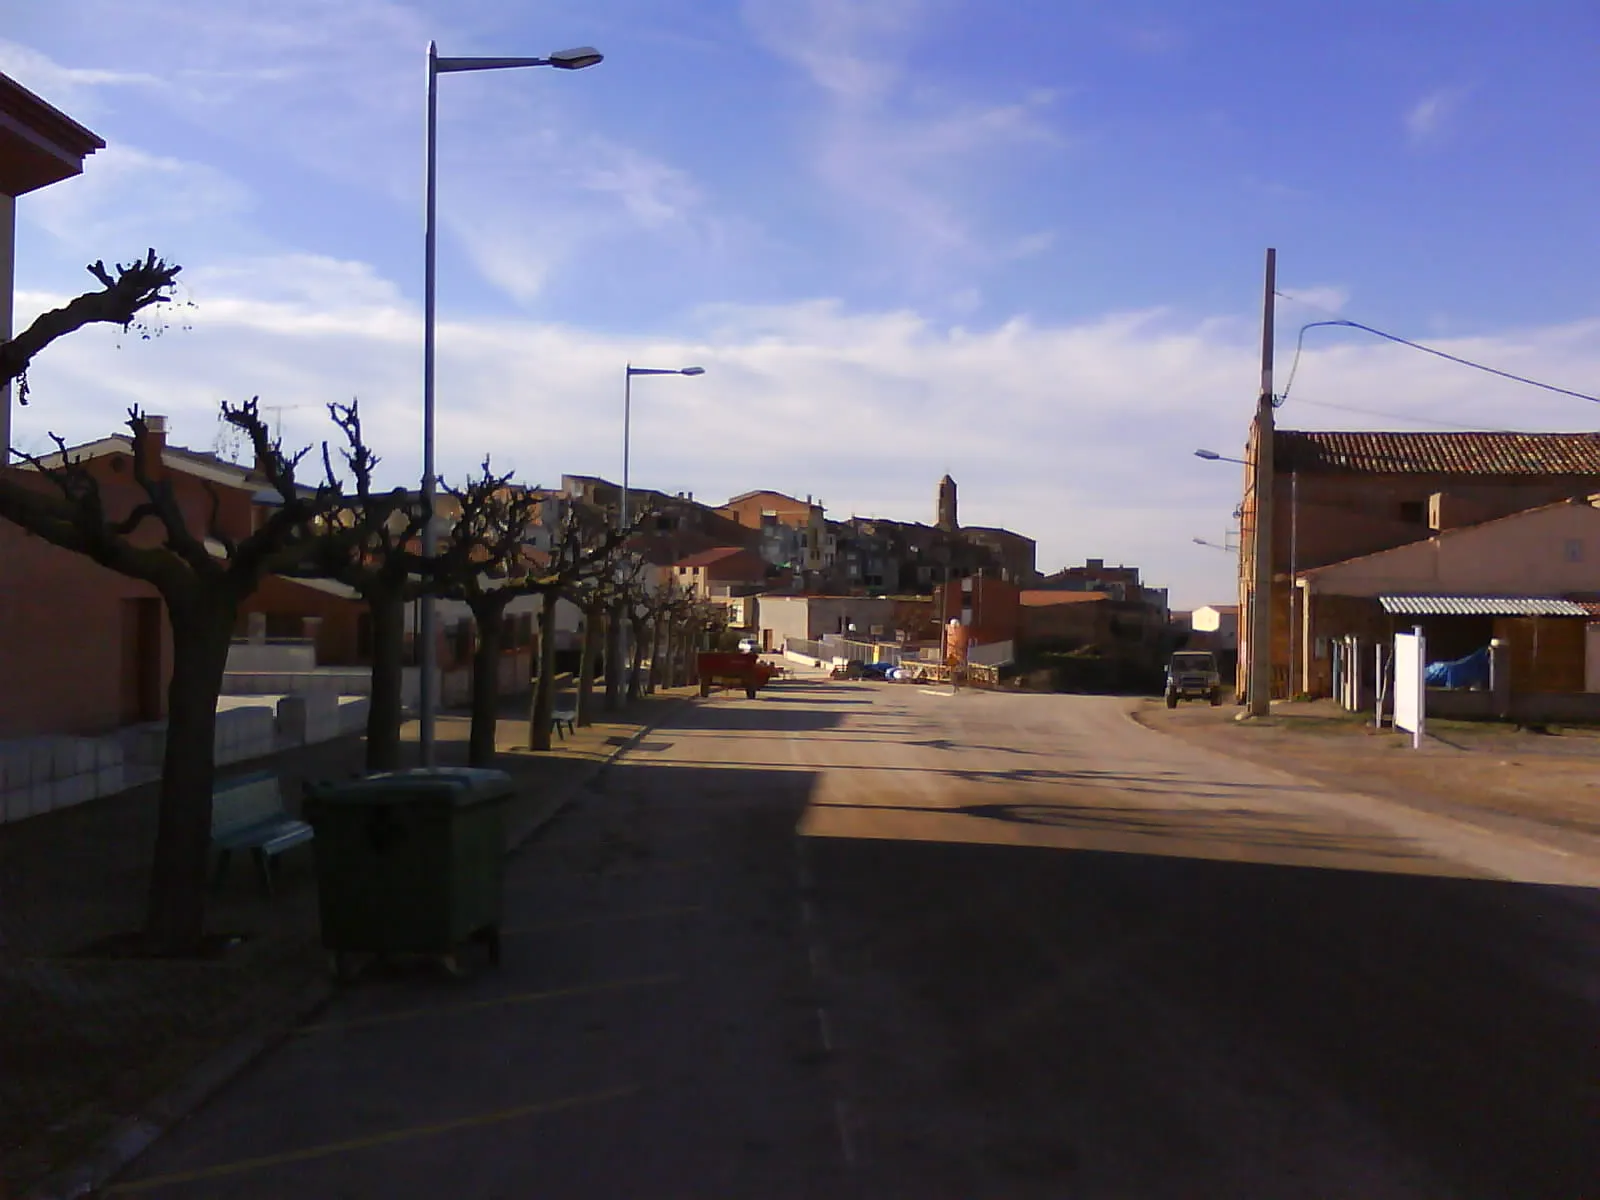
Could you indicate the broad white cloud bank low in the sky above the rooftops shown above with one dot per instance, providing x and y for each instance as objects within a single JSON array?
[{"x": 1079, "y": 436}]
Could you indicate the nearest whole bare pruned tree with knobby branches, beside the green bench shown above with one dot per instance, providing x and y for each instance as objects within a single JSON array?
[{"x": 202, "y": 577}]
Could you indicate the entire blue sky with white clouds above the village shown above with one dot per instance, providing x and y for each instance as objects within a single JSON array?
[{"x": 1018, "y": 242}]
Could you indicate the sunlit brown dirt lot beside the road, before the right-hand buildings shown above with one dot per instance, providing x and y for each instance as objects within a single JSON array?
[{"x": 1540, "y": 785}]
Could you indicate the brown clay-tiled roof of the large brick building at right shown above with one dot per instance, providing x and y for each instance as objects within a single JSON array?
[{"x": 1367, "y": 454}]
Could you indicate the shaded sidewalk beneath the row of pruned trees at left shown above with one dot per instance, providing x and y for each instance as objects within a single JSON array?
[{"x": 90, "y": 1042}]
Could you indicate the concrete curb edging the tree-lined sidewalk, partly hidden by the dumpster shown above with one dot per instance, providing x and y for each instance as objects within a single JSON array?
[{"x": 132, "y": 1137}]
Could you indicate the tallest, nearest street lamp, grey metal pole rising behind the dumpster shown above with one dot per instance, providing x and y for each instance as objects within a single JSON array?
[{"x": 564, "y": 60}]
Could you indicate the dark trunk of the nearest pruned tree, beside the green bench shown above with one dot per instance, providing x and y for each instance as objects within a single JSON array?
[{"x": 202, "y": 631}]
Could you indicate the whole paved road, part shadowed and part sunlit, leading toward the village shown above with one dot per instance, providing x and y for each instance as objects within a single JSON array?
[{"x": 1022, "y": 948}]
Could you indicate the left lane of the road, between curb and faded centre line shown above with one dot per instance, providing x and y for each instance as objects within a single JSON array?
[{"x": 652, "y": 1030}]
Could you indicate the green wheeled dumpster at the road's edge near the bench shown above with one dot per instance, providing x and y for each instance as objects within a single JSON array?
[{"x": 410, "y": 863}]
